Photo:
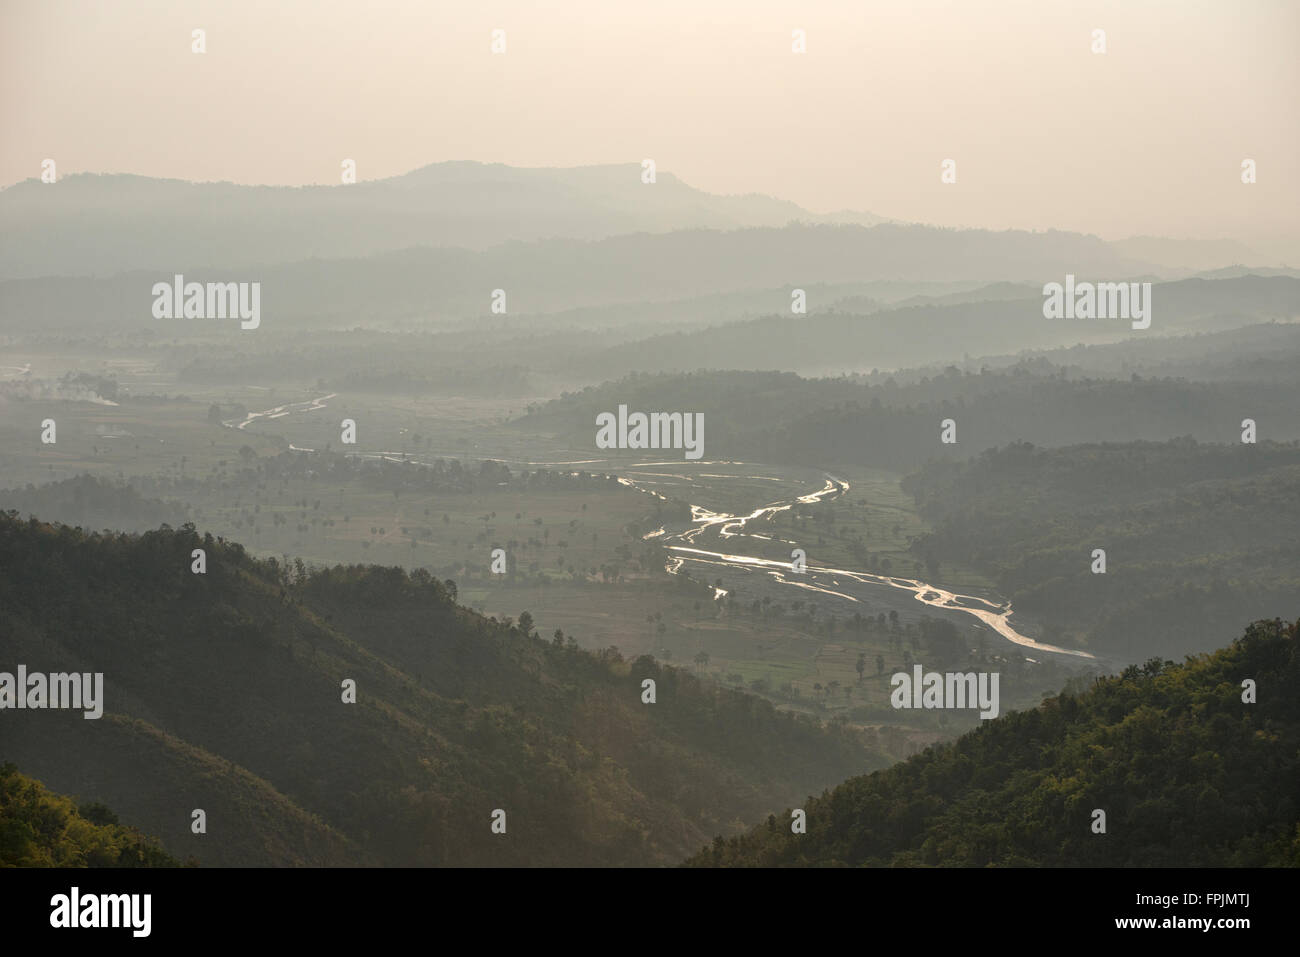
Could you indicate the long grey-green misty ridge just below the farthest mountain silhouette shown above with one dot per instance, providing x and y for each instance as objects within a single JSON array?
[{"x": 556, "y": 275}]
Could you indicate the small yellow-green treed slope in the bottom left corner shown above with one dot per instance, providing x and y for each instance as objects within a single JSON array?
[{"x": 40, "y": 829}]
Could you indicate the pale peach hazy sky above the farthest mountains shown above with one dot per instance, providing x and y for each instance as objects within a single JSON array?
[{"x": 1145, "y": 140}]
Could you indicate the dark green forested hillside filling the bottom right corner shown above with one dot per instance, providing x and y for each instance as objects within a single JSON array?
[{"x": 1186, "y": 773}]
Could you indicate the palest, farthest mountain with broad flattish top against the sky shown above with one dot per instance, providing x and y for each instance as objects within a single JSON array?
[{"x": 99, "y": 226}]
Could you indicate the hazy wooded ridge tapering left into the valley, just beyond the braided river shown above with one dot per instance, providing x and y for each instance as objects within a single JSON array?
[{"x": 782, "y": 418}]
